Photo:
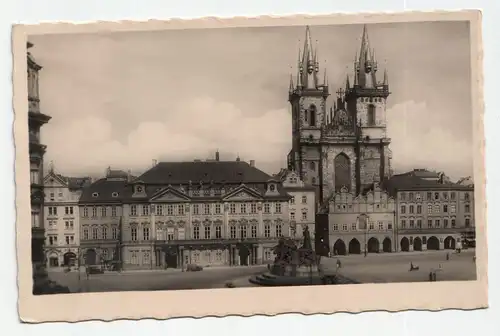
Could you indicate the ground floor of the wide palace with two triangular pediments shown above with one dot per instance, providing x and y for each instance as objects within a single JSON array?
[{"x": 180, "y": 254}]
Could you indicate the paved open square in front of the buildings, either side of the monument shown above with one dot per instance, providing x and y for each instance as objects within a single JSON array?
[{"x": 374, "y": 268}]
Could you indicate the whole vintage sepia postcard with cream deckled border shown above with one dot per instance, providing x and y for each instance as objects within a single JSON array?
[{"x": 332, "y": 163}]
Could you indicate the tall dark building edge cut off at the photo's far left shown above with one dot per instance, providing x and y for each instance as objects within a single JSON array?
[{"x": 36, "y": 120}]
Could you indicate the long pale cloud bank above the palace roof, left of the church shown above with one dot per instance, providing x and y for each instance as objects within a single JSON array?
[{"x": 192, "y": 130}]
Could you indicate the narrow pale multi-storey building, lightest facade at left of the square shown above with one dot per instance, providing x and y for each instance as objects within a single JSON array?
[{"x": 61, "y": 222}]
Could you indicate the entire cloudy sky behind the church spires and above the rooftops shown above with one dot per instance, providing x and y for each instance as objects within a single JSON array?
[{"x": 124, "y": 99}]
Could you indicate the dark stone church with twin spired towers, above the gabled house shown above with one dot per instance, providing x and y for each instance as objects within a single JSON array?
[{"x": 345, "y": 146}]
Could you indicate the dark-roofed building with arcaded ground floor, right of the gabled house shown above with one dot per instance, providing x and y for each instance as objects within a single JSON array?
[{"x": 431, "y": 214}]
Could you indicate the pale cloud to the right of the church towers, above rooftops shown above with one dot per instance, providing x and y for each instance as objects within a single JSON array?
[{"x": 421, "y": 138}]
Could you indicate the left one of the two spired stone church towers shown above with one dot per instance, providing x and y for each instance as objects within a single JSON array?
[{"x": 307, "y": 97}]
